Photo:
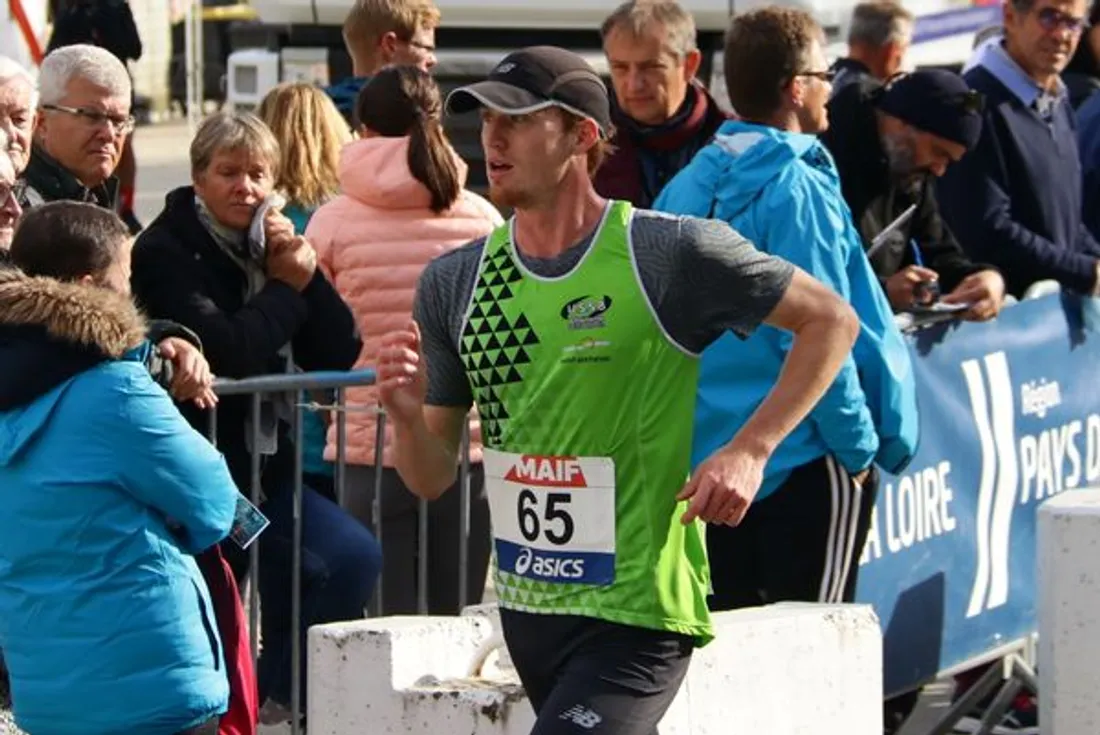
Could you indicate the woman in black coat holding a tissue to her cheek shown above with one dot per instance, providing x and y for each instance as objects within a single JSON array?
[{"x": 261, "y": 306}]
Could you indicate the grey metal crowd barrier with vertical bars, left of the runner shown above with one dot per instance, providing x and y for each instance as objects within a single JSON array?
[{"x": 298, "y": 386}]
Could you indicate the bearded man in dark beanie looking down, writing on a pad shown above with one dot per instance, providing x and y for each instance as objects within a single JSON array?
[{"x": 889, "y": 142}]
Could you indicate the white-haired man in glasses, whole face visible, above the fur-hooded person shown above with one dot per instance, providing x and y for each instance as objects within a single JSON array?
[{"x": 84, "y": 119}]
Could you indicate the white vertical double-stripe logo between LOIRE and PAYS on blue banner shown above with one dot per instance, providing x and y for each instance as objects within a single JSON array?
[{"x": 993, "y": 403}]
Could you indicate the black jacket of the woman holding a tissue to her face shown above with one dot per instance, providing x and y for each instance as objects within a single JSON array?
[{"x": 180, "y": 273}]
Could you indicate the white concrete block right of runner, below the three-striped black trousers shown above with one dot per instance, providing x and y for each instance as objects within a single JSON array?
[{"x": 789, "y": 670}]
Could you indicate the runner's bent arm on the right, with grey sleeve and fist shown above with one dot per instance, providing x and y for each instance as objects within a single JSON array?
[{"x": 714, "y": 281}]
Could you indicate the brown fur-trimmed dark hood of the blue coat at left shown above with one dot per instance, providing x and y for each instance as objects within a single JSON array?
[{"x": 51, "y": 332}]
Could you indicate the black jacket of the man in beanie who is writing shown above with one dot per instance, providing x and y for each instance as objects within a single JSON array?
[{"x": 877, "y": 199}]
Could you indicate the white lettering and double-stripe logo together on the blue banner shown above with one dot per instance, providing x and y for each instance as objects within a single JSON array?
[{"x": 1058, "y": 455}]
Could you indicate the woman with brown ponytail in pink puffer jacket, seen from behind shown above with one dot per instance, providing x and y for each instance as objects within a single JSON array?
[{"x": 403, "y": 205}]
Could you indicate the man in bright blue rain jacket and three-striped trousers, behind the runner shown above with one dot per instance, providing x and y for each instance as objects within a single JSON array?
[{"x": 773, "y": 181}]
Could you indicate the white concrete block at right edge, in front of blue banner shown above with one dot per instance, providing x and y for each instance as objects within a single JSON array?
[{"x": 1069, "y": 547}]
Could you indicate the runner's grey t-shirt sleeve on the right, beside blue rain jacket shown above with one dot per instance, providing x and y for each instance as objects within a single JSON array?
[{"x": 705, "y": 279}]
